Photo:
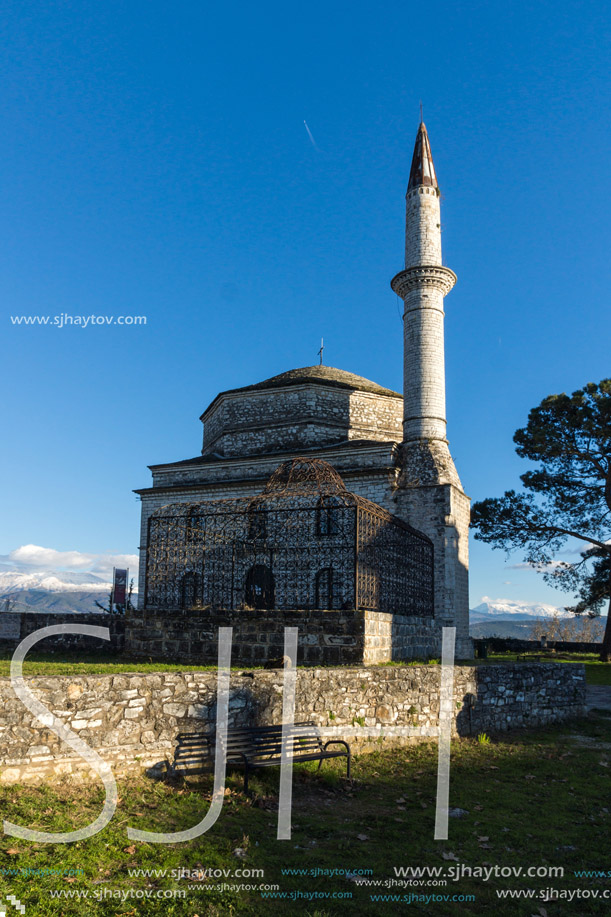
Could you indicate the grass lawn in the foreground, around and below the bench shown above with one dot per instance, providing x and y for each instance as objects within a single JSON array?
[{"x": 532, "y": 798}]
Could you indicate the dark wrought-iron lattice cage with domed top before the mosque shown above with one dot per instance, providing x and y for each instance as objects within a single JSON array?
[{"x": 304, "y": 542}]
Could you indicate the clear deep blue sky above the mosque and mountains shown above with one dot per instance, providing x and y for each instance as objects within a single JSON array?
[{"x": 154, "y": 161}]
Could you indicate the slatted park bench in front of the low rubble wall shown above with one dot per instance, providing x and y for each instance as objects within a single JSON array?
[{"x": 253, "y": 747}]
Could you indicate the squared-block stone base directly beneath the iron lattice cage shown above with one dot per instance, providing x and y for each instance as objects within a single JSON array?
[{"x": 325, "y": 637}]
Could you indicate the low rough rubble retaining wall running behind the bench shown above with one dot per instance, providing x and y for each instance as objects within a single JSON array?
[{"x": 132, "y": 720}]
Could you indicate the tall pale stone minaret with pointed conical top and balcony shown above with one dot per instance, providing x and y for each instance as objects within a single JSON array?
[{"x": 430, "y": 496}]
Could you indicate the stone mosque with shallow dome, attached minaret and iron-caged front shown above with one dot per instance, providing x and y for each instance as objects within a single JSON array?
[{"x": 320, "y": 500}]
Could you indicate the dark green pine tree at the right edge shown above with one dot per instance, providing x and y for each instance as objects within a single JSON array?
[{"x": 568, "y": 495}]
